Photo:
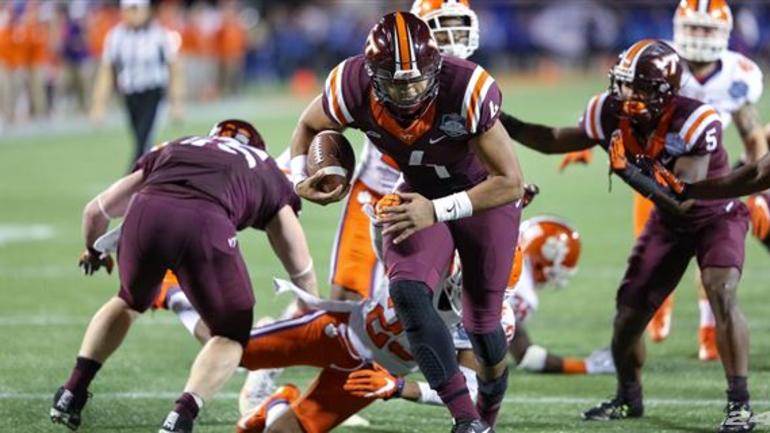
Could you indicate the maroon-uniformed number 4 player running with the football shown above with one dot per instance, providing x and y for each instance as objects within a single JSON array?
[{"x": 436, "y": 117}]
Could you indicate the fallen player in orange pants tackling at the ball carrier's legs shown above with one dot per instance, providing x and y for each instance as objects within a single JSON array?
[{"x": 362, "y": 351}]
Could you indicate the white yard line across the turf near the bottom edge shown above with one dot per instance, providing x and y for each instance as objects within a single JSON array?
[{"x": 521, "y": 400}]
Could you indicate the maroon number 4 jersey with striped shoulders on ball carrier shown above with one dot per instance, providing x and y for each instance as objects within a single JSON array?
[{"x": 433, "y": 152}]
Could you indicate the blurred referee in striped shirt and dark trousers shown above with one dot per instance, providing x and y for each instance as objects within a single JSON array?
[{"x": 140, "y": 60}]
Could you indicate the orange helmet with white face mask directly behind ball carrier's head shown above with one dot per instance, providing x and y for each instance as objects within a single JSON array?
[{"x": 453, "y": 23}]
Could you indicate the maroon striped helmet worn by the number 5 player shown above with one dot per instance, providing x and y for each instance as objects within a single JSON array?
[{"x": 645, "y": 79}]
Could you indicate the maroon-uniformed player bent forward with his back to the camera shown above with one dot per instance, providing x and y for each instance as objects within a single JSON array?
[{"x": 183, "y": 206}]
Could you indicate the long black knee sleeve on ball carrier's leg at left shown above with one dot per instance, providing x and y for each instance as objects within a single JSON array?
[{"x": 429, "y": 338}]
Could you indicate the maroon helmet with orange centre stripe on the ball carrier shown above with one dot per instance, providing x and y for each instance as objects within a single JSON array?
[{"x": 404, "y": 61}]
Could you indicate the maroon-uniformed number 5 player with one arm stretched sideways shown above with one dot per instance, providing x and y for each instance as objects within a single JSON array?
[{"x": 647, "y": 128}]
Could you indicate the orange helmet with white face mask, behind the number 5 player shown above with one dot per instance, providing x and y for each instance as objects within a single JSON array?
[{"x": 702, "y": 29}]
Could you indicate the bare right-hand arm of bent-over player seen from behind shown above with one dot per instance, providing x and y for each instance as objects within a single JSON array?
[{"x": 288, "y": 241}]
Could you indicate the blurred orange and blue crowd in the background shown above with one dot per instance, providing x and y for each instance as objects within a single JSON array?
[{"x": 49, "y": 49}]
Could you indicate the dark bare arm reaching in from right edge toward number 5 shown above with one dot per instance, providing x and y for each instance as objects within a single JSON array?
[{"x": 746, "y": 180}]
